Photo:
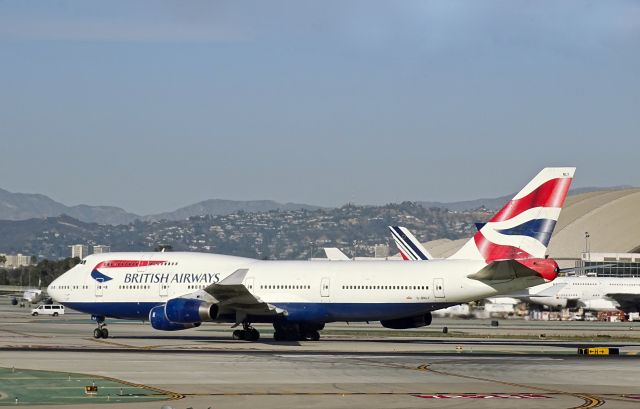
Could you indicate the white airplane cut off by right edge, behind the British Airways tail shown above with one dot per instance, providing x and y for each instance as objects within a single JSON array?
[{"x": 588, "y": 293}]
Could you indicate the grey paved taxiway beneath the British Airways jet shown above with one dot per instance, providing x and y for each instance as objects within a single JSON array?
[{"x": 204, "y": 368}]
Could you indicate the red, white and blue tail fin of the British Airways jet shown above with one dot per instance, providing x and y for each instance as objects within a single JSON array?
[{"x": 523, "y": 227}]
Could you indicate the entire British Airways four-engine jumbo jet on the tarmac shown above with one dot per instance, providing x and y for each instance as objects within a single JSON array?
[{"x": 177, "y": 291}]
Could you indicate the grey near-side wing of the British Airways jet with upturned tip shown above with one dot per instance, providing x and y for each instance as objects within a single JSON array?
[{"x": 232, "y": 294}]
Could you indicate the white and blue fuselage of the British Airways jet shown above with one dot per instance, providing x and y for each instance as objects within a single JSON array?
[{"x": 128, "y": 285}]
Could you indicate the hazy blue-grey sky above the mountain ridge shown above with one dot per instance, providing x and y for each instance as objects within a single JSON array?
[{"x": 154, "y": 105}]
